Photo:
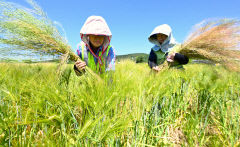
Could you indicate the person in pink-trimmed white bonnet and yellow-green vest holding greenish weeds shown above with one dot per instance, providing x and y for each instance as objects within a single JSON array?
[{"x": 95, "y": 50}]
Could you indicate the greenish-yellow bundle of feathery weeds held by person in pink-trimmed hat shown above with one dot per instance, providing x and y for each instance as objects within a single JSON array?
[{"x": 26, "y": 29}]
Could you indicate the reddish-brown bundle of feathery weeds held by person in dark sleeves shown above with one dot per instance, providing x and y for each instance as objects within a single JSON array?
[{"x": 215, "y": 40}]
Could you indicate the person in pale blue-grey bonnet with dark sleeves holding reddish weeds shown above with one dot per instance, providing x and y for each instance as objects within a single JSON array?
[{"x": 164, "y": 49}]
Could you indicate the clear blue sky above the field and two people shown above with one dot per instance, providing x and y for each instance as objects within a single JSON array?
[{"x": 131, "y": 21}]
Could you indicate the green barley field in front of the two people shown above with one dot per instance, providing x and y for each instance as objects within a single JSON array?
[{"x": 198, "y": 106}]
